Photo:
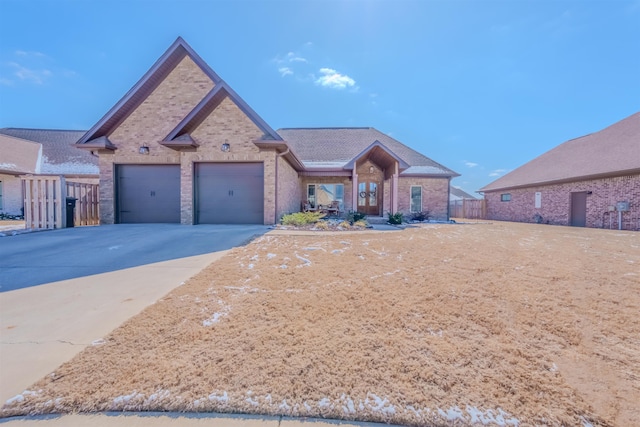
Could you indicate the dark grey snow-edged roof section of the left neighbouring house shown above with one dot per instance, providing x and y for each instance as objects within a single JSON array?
[{"x": 60, "y": 156}]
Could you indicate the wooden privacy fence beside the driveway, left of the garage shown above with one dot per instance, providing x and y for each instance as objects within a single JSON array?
[{"x": 45, "y": 202}]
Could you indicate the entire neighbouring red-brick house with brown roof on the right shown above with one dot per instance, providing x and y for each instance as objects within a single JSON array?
[{"x": 591, "y": 181}]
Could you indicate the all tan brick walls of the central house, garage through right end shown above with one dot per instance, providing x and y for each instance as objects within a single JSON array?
[{"x": 178, "y": 96}]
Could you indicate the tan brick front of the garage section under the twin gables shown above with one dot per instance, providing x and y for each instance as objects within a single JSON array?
[{"x": 159, "y": 114}]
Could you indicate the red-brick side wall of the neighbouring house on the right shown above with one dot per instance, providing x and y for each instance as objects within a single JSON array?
[{"x": 555, "y": 206}]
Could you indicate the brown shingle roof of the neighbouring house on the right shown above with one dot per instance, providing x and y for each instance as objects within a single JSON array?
[{"x": 613, "y": 151}]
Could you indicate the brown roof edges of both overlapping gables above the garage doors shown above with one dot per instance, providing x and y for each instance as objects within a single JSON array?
[{"x": 152, "y": 79}]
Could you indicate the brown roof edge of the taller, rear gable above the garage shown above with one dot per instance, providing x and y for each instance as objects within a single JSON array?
[{"x": 145, "y": 86}]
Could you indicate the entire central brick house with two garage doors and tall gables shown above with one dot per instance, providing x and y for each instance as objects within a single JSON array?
[{"x": 181, "y": 146}]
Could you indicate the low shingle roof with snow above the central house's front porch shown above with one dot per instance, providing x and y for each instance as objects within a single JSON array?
[{"x": 337, "y": 147}]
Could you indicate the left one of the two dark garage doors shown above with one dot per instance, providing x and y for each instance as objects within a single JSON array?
[{"x": 148, "y": 193}]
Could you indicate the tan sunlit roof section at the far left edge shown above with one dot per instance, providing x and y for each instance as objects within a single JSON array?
[{"x": 19, "y": 156}]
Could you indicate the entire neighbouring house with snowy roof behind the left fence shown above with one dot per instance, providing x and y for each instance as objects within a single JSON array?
[{"x": 40, "y": 152}]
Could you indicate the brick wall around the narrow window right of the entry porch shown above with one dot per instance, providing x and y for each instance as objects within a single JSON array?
[{"x": 435, "y": 196}]
